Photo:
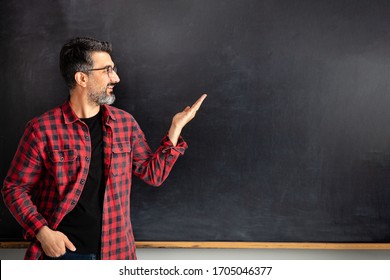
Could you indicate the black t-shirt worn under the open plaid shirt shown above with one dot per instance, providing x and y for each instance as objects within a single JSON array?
[{"x": 83, "y": 224}]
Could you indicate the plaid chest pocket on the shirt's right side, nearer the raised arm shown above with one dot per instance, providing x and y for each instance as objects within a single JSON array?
[{"x": 121, "y": 158}]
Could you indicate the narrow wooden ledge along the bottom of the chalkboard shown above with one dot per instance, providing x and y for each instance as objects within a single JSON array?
[{"x": 241, "y": 245}]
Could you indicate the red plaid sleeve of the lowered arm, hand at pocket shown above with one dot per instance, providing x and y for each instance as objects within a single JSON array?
[{"x": 24, "y": 173}]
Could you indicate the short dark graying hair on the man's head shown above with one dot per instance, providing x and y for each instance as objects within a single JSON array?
[{"x": 75, "y": 56}]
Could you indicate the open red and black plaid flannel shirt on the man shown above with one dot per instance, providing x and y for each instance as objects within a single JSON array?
[{"x": 51, "y": 165}]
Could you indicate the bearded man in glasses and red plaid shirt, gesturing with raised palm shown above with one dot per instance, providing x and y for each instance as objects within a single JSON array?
[{"x": 69, "y": 182}]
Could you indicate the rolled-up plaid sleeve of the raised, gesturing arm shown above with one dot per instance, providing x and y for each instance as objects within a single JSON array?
[{"x": 154, "y": 168}]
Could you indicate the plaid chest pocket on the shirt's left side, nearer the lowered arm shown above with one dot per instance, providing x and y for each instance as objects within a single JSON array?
[{"x": 64, "y": 166}]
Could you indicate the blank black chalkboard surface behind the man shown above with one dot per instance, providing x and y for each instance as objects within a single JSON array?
[{"x": 292, "y": 143}]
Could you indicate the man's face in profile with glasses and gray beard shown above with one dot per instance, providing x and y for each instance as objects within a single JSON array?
[{"x": 101, "y": 82}]
